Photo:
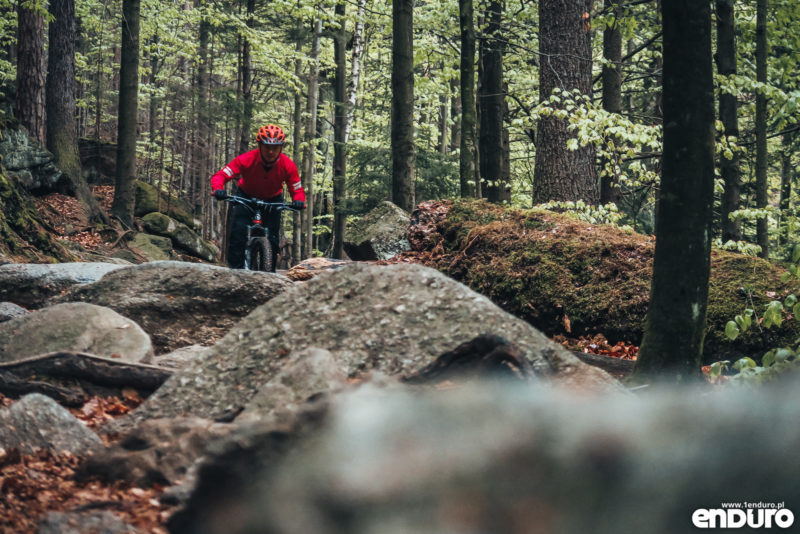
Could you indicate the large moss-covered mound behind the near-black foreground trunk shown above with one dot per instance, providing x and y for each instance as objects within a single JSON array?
[{"x": 568, "y": 277}]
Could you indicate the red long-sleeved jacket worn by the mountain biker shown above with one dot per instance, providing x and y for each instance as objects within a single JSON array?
[{"x": 258, "y": 181}]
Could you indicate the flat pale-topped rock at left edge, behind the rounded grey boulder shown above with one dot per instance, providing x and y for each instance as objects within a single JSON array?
[{"x": 31, "y": 284}]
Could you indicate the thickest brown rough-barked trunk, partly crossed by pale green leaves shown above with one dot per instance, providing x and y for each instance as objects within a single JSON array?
[{"x": 566, "y": 63}]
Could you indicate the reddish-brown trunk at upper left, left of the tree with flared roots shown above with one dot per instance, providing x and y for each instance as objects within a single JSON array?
[{"x": 30, "y": 71}]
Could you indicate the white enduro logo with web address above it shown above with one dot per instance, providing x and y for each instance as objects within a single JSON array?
[{"x": 739, "y": 515}]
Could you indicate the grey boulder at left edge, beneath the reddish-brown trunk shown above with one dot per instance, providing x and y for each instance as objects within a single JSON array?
[{"x": 29, "y": 163}]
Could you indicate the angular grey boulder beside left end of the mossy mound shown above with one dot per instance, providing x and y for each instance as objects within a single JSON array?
[{"x": 379, "y": 235}]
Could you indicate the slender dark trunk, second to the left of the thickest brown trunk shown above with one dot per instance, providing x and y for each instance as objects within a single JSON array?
[{"x": 468, "y": 157}]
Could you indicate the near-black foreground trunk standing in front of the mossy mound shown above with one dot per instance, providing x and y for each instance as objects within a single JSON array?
[{"x": 676, "y": 317}]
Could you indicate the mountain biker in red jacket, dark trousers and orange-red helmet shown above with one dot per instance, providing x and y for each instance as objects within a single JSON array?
[{"x": 262, "y": 173}]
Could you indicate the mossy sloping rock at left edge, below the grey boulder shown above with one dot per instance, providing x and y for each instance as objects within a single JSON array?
[{"x": 24, "y": 237}]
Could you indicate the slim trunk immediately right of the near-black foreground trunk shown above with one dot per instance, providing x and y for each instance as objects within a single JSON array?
[{"x": 729, "y": 115}]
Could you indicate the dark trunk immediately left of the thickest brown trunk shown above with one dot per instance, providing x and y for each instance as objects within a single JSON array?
[{"x": 491, "y": 99}]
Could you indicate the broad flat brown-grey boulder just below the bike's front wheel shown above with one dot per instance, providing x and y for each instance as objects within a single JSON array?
[{"x": 181, "y": 303}]
